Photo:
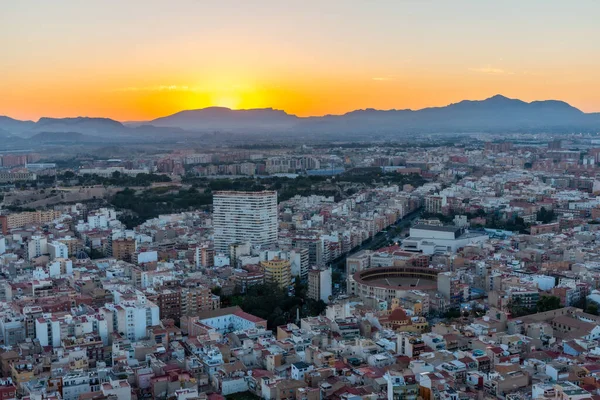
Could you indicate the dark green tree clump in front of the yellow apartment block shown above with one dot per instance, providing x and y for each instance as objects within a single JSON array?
[{"x": 274, "y": 304}]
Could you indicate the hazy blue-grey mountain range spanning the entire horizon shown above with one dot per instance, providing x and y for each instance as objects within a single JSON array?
[{"x": 495, "y": 114}]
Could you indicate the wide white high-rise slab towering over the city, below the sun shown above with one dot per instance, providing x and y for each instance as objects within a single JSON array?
[{"x": 244, "y": 217}]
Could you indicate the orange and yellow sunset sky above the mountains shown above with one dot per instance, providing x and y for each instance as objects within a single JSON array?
[{"x": 141, "y": 59}]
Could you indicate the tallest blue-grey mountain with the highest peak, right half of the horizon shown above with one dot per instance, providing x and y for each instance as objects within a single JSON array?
[{"x": 496, "y": 114}]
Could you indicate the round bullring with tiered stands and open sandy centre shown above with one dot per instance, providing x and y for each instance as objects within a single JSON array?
[{"x": 386, "y": 283}]
